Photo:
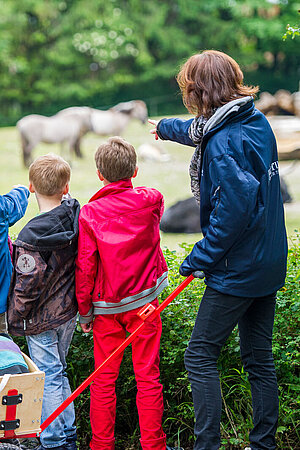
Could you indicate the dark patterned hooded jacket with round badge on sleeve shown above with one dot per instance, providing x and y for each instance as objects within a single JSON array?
[{"x": 42, "y": 292}]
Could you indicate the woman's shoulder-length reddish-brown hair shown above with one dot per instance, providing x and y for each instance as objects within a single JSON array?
[{"x": 210, "y": 79}]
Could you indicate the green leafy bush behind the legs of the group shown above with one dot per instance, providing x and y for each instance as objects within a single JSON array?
[{"x": 178, "y": 320}]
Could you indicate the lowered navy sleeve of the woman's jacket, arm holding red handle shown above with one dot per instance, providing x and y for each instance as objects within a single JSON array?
[{"x": 233, "y": 200}]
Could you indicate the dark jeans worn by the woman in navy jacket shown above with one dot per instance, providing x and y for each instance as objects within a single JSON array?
[{"x": 217, "y": 316}]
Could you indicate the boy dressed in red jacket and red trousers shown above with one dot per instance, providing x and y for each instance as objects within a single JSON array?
[{"x": 120, "y": 268}]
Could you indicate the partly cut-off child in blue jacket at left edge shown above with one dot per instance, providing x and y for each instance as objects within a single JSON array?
[{"x": 12, "y": 208}]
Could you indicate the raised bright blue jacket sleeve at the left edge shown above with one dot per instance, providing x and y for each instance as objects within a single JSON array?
[{"x": 13, "y": 205}]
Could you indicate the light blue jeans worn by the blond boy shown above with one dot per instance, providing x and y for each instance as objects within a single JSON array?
[{"x": 49, "y": 350}]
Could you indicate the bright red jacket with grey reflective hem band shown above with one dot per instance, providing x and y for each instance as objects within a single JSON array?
[{"x": 120, "y": 265}]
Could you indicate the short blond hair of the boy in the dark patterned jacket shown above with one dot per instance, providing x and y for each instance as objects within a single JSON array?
[{"x": 49, "y": 174}]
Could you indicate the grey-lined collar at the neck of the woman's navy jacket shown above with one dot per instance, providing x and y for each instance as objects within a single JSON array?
[{"x": 228, "y": 111}]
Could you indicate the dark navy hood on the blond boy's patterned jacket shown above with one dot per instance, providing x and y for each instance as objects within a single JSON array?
[{"x": 53, "y": 229}]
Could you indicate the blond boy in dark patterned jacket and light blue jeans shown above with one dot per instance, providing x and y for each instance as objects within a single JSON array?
[{"x": 42, "y": 304}]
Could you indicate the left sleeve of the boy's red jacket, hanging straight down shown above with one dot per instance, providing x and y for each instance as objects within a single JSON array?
[{"x": 86, "y": 270}]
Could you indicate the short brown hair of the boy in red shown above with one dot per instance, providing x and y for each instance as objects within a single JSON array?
[{"x": 116, "y": 159}]
